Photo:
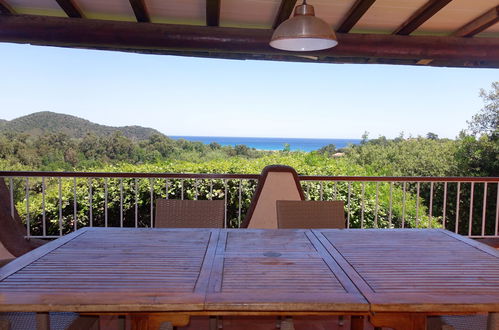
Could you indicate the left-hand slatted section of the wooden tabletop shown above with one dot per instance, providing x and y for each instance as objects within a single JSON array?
[{"x": 115, "y": 270}]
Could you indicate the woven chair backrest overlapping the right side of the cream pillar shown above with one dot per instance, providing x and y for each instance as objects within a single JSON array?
[{"x": 310, "y": 214}]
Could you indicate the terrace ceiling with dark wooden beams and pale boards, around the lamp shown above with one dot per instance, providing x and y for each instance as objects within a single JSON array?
[{"x": 460, "y": 33}]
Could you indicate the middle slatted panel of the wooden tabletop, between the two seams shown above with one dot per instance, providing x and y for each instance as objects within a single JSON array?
[{"x": 272, "y": 270}]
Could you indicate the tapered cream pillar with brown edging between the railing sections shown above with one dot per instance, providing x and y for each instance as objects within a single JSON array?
[{"x": 276, "y": 182}]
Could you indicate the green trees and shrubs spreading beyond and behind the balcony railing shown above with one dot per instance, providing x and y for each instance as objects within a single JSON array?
[{"x": 475, "y": 152}]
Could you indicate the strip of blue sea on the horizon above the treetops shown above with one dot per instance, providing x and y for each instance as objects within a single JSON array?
[{"x": 295, "y": 144}]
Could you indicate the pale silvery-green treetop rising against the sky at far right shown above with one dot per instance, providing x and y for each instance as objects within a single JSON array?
[{"x": 487, "y": 120}]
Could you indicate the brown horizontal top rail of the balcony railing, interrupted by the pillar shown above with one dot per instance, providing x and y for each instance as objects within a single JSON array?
[{"x": 241, "y": 176}]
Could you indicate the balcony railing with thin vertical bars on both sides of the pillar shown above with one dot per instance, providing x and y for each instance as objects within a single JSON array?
[{"x": 52, "y": 204}]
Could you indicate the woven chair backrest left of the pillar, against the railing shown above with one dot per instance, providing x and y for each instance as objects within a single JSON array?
[{"x": 175, "y": 213}]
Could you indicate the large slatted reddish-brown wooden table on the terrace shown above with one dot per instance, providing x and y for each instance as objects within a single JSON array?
[{"x": 397, "y": 277}]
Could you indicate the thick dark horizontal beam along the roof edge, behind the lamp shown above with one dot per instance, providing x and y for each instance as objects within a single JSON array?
[{"x": 167, "y": 38}]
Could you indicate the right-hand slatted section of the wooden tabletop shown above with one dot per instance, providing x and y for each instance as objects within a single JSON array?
[{"x": 410, "y": 270}]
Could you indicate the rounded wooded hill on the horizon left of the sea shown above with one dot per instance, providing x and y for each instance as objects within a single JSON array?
[{"x": 41, "y": 123}]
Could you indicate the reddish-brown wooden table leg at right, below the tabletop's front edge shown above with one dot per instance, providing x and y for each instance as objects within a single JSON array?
[{"x": 399, "y": 321}]
